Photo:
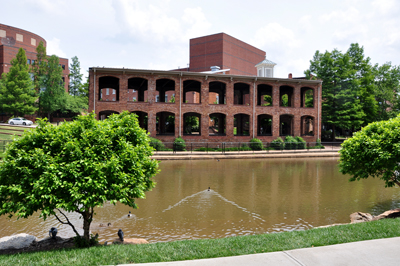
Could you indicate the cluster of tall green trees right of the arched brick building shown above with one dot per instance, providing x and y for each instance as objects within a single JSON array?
[{"x": 355, "y": 92}]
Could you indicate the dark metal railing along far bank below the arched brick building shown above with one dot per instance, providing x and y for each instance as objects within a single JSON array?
[{"x": 243, "y": 147}]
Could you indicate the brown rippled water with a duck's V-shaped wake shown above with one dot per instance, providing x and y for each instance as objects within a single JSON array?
[{"x": 246, "y": 197}]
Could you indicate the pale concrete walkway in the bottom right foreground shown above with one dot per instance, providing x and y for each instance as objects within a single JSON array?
[{"x": 370, "y": 252}]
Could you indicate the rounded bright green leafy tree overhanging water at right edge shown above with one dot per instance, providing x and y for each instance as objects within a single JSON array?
[{"x": 374, "y": 151}]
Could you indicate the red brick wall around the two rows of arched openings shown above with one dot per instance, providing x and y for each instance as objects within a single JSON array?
[{"x": 204, "y": 109}]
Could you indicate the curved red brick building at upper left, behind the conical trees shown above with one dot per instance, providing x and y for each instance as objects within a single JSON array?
[{"x": 11, "y": 39}]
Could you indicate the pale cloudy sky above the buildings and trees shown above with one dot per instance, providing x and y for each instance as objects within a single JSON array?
[{"x": 155, "y": 34}]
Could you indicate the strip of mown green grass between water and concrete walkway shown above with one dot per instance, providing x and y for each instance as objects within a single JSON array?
[{"x": 209, "y": 248}]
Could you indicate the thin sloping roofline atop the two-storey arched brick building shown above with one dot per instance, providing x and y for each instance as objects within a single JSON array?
[{"x": 198, "y": 74}]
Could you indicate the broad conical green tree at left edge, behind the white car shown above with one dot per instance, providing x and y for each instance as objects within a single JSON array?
[{"x": 17, "y": 94}]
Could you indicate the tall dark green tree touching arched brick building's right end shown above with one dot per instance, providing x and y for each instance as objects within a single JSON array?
[{"x": 341, "y": 105}]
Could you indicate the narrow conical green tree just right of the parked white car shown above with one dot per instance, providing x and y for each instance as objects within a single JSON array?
[{"x": 52, "y": 95}]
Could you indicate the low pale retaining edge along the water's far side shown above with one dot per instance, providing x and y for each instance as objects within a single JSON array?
[{"x": 245, "y": 155}]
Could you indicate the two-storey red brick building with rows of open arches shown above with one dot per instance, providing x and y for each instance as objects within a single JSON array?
[{"x": 240, "y": 113}]
